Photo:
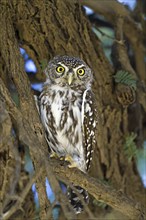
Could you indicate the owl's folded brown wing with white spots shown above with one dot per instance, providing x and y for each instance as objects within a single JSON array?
[{"x": 89, "y": 120}]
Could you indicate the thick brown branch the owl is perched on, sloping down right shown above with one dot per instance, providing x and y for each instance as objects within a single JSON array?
[{"x": 100, "y": 191}]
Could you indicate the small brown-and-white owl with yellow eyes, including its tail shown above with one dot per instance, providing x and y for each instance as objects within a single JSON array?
[{"x": 68, "y": 114}]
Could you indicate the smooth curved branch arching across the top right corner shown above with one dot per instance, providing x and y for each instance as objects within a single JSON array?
[{"x": 113, "y": 9}]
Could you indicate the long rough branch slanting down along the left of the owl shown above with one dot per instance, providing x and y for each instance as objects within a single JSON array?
[{"x": 29, "y": 128}]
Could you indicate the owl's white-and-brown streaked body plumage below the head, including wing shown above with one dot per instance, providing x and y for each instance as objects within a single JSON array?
[{"x": 61, "y": 120}]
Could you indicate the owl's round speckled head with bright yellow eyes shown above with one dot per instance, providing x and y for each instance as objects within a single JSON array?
[{"x": 68, "y": 71}]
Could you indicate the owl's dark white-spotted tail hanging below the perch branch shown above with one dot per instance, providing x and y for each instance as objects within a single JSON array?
[{"x": 75, "y": 198}]
